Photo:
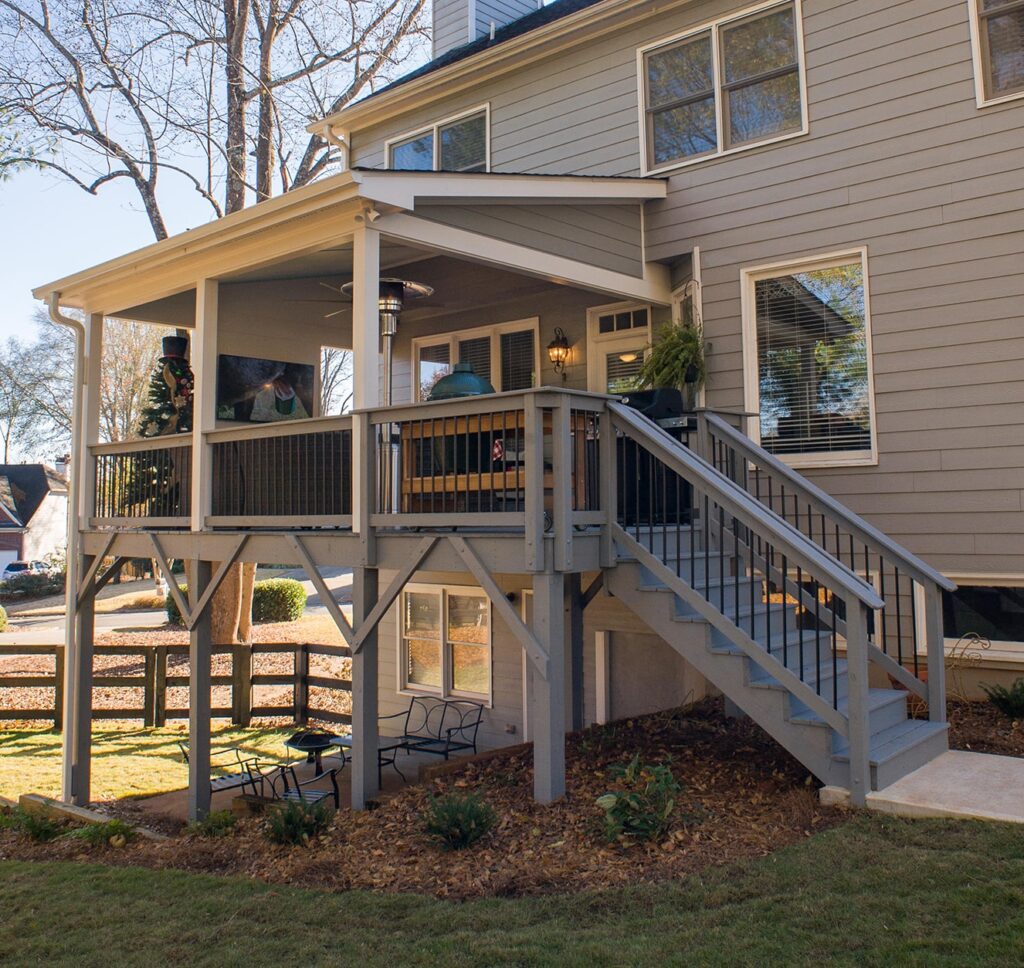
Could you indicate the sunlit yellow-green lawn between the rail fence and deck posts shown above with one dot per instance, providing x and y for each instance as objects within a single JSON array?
[{"x": 126, "y": 762}]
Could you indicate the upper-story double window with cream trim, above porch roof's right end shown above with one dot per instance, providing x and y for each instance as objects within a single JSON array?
[{"x": 729, "y": 86}]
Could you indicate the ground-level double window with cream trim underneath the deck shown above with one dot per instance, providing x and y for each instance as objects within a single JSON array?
[{"x": 445, "y": 642}]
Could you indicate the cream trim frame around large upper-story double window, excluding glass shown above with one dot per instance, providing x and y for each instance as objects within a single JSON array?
[{"x": 715, "y": 26}]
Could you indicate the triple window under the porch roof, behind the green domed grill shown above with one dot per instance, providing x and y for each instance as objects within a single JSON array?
[{"x": 507, "y": 356}]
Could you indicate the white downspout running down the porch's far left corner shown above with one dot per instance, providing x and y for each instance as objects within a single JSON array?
[{"x": 71, "y": 720}]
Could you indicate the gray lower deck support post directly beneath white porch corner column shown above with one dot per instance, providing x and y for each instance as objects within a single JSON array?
[{"x": 365, "y": 698}]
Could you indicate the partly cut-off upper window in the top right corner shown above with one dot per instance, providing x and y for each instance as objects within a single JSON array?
[{"x": 999, "y": 46}]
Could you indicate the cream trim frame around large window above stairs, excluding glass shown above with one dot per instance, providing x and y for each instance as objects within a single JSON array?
[{"x": 752, "y": 388}]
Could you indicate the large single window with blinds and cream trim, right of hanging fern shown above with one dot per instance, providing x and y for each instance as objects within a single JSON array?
[{"x": 808, "y": 362}]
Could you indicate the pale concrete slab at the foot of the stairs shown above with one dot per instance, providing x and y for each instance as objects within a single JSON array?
[{"x": 958, "y": 784}]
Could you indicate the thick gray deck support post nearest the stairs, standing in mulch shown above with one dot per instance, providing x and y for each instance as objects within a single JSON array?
[{"x": 548, "y": 705}]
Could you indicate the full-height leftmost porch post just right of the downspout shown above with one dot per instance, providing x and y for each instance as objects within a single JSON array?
[{"x": 77, "y": 713}]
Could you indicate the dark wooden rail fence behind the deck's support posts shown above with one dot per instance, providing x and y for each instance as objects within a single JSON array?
[{"x": 155, "y": 681}]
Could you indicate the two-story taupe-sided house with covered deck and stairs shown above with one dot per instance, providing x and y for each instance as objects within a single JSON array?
[{"x": 835, "y": 191}]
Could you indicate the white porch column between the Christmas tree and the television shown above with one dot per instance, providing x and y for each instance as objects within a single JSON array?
[{"x": 203, "y": 354}]
